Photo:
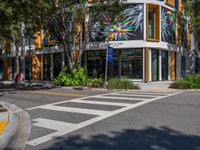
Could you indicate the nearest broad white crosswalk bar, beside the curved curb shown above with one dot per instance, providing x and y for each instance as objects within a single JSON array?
[{"x": 52, "y": 124}]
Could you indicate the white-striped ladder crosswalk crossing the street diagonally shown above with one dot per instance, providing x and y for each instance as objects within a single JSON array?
[{"x": 99, "y": 106}]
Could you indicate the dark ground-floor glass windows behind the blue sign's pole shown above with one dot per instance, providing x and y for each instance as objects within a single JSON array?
[{"x": 128, "y": 62}]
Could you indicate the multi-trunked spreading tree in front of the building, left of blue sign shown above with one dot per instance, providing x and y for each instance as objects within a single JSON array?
[{"x": 68, "y": 21}]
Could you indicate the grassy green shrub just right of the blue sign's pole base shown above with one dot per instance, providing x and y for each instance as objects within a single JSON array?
[{"x": 121, "y": 83}]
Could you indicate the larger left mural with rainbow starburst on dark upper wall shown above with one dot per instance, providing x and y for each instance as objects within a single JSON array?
[{"x": 128, "y": 25}]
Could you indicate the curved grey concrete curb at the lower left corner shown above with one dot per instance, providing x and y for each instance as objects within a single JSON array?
[{"x": 18, "y": 129}]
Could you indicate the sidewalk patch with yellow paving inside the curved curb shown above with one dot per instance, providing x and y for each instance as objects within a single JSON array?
[{"x": 4, "y": 119}]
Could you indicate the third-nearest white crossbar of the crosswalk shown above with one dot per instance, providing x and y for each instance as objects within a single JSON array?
[{"x": 100, "y": 103}]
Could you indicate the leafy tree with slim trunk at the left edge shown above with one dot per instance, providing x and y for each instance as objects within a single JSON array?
[{"x": 19, "y": 19}]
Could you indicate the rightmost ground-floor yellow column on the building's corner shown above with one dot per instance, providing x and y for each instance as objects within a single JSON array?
[{"x": 172, "y": 66}]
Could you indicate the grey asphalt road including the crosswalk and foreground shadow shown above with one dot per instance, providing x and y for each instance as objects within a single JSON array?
[{"x": 96, "y": 120}]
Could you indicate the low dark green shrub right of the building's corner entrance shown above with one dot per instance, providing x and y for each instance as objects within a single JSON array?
[{"x": 181, "y": 84}]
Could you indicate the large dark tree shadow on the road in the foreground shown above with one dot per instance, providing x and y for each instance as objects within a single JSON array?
[{"x": 147, "y": 139}]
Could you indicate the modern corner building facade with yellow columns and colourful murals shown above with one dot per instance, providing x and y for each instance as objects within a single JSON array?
[{"x": 151, "y": 41}]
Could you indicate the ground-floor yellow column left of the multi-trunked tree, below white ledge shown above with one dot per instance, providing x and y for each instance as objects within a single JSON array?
[{"x": 36, "y": 67}]
